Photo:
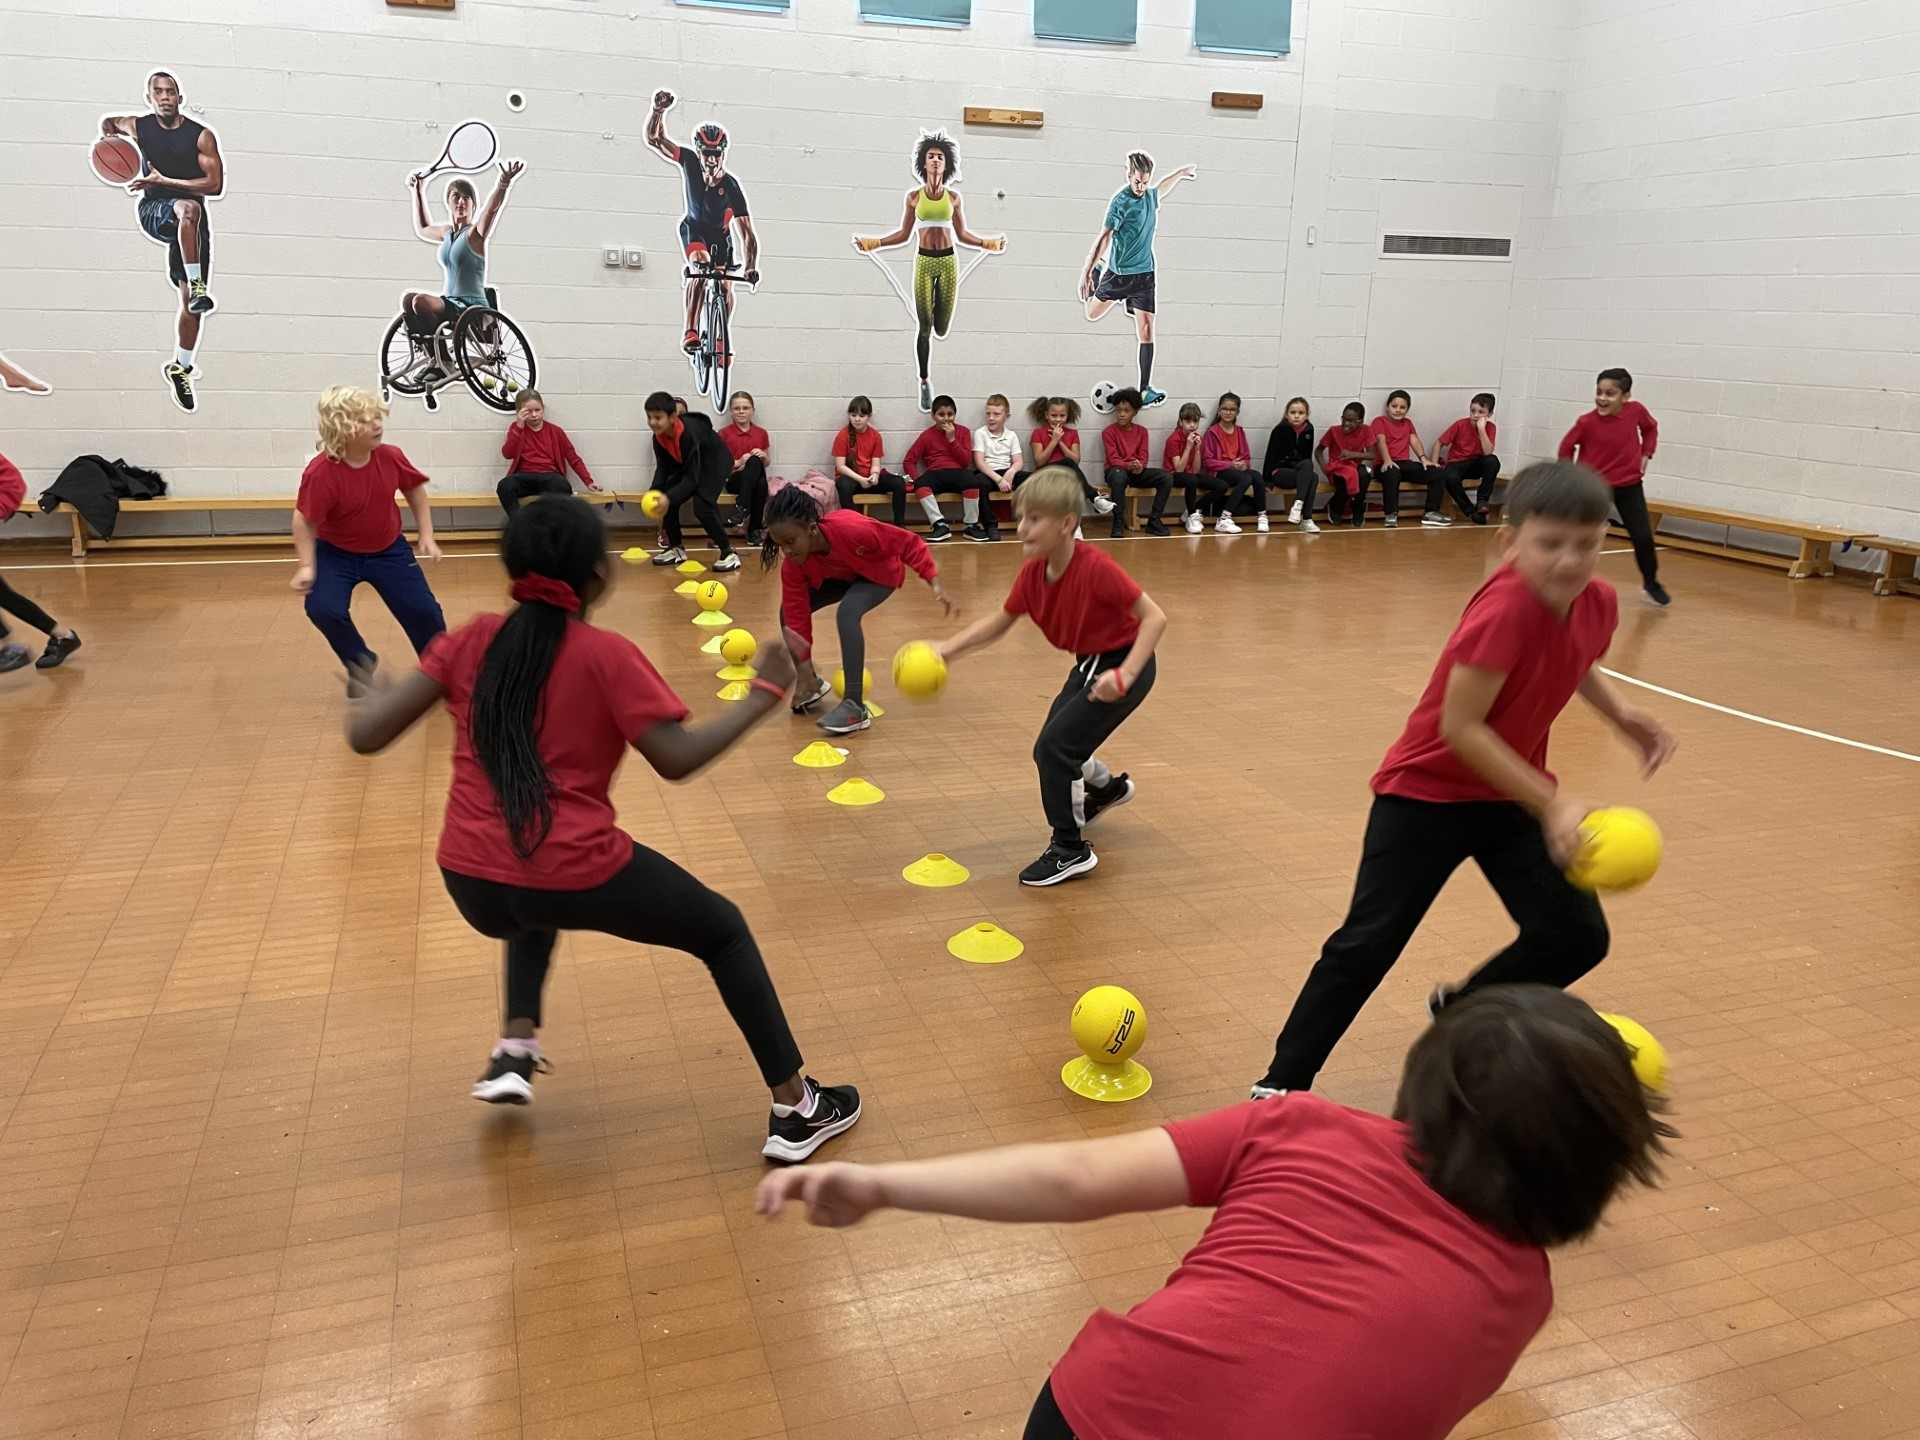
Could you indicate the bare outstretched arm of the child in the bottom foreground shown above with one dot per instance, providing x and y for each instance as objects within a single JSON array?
[{"x": 1022, "y": 1186}]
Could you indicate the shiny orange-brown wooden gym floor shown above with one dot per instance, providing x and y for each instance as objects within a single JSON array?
[{"x": 249, "y": 1195}]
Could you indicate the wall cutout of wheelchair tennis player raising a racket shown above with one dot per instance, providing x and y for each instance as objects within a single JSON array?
[{"x": 462, "y": 331}]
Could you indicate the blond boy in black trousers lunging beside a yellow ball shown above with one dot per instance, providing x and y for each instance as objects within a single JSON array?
[{"x": 1090, "y": 608}]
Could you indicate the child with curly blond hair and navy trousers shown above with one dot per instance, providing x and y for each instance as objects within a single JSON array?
[{"x": 347, "y": 531}]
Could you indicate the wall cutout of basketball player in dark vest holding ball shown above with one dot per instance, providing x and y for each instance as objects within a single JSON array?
[{"x": 174, "y": 174}]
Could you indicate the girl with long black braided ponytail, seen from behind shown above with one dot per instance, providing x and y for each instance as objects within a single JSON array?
[{"x": 544, "y": 708}]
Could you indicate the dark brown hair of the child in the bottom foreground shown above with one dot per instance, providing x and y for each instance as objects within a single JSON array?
[{"x": 1525, "y": 1113}]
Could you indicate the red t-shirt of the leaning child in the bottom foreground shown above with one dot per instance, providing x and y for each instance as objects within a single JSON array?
[{"x": 1333, "y": 1295}]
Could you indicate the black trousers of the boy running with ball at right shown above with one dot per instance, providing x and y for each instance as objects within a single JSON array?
[{"x": 1410, "y": 853}]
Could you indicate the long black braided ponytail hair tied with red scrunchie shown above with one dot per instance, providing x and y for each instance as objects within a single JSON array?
[{"x": 565, "y": 540}]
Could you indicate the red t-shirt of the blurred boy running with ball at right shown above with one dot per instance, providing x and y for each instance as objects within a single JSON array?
[{"x": 1545, "y": 660}]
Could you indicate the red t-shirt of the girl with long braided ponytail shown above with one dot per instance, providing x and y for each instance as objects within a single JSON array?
[{"x": 600, "y": 698}]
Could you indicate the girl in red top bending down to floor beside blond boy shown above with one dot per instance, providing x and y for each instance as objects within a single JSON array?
[{"x": 838, "y": 560}]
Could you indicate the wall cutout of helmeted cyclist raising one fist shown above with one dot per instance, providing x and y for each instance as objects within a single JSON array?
[{"x": 717, "y": 206}]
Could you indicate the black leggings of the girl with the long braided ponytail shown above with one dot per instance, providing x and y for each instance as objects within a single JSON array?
[{"x": 652, "y": 901}]
